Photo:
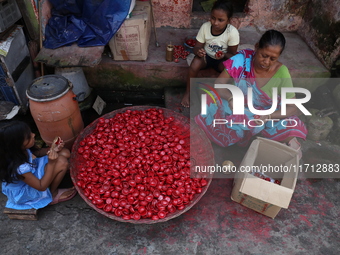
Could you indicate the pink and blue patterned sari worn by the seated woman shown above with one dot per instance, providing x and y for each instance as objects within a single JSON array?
[{"x": 241, "y": 128}]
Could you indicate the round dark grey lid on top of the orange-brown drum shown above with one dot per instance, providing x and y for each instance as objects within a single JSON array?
[{"x": 48, "y": 88}]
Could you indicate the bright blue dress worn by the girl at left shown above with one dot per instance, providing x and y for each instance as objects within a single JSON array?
[{"x": 22, "y": 196}]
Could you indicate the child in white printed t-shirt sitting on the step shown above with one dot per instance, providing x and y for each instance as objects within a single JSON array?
[{"x": 216, "y": 41}]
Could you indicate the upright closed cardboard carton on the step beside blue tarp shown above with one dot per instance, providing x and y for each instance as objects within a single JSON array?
[{"x": 131, "y": 42}]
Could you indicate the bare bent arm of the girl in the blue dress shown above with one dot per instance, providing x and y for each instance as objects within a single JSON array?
[{"x": 43, "y": 183}]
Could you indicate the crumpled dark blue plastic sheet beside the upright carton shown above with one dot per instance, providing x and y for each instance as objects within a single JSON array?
[{"x": 87, "y": 22}]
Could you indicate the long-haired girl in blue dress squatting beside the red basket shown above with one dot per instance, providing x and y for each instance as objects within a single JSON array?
[{"x": 30, "y": 177}]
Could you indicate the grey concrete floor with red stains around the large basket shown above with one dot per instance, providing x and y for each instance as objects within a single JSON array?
[{"x": 215, "y": 225}]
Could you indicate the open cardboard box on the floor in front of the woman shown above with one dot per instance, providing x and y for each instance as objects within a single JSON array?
[{"x": 261, "y": 195}]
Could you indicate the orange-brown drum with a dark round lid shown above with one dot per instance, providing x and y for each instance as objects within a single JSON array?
[{"x": 54, "y": 109}]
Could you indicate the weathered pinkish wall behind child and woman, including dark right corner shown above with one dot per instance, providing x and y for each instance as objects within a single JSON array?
[{"x": 317, "y": 22}]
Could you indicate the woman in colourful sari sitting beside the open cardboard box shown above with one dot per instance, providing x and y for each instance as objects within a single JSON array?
[{"x": 261, "y": 71}]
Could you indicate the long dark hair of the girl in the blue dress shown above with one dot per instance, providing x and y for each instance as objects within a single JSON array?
[{"x": 13, "y": 134}]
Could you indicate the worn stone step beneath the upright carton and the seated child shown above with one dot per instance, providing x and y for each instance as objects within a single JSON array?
[{"x": 156, "y": 73}]
